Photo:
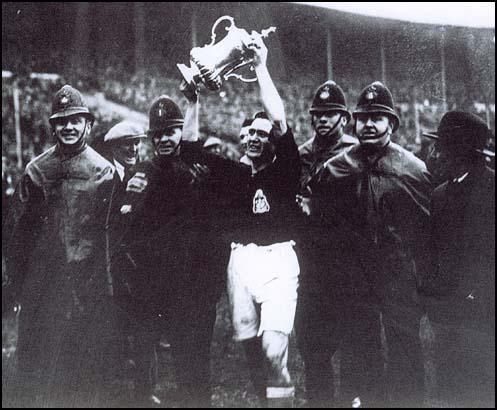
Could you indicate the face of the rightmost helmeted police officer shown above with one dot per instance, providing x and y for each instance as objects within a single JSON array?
[{"x": 373, "y": 129}]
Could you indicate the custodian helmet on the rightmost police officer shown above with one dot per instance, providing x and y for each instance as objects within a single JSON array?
[{"x": 376, "y": 98}]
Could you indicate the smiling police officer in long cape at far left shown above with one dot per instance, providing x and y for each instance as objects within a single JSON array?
[{"x": 68, "y": 333}]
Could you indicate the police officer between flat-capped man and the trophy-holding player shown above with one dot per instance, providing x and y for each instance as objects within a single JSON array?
[{"x": 149, "y": 206}]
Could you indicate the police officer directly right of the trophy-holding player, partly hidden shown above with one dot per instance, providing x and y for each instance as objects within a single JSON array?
[{"x": 329, "y": 305}]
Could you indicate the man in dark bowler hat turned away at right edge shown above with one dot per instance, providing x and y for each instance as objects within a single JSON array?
[{"x": 462, "y": 280}]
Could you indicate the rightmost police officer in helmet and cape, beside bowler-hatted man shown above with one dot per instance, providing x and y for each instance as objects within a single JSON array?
[{"x": 384, "y": 190}]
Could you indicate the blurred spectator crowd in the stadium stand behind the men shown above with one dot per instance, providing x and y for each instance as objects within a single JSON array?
[{"x": 222, "y": 112}]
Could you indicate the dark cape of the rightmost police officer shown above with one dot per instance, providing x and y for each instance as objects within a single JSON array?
[{"x": 387, "y": 201}]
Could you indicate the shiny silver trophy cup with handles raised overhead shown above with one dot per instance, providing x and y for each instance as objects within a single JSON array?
[{"x": 214, "y": 63}]
